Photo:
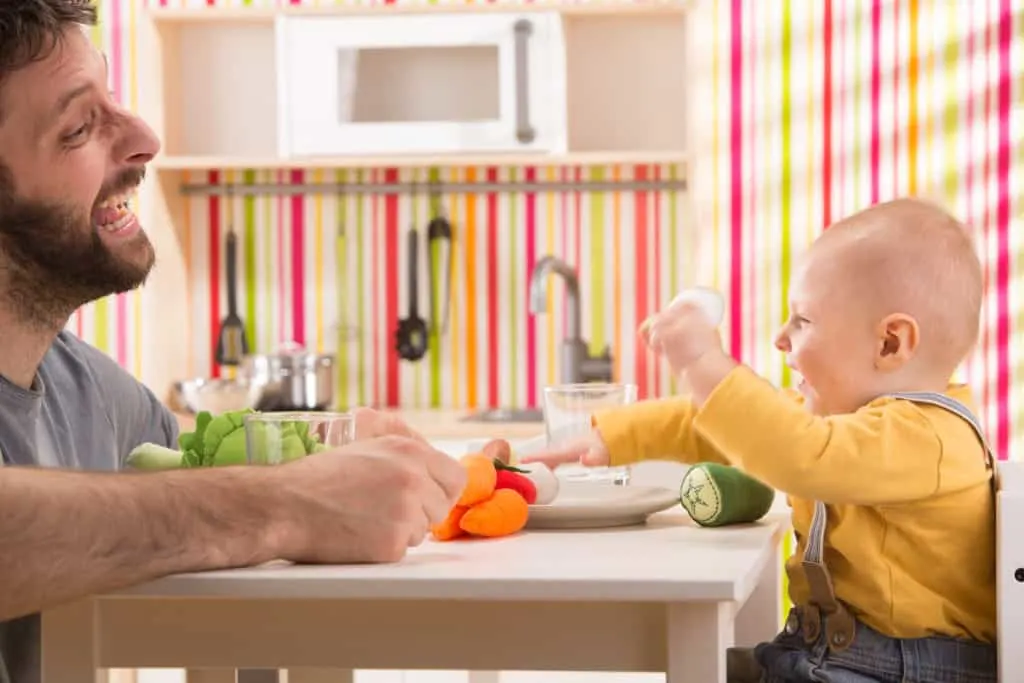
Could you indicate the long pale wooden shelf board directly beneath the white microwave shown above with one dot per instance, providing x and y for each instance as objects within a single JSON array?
[{"x": 174, "y": 163}]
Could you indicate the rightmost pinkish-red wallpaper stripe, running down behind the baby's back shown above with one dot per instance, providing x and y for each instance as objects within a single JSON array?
[{"x": 1005, "y": 29}]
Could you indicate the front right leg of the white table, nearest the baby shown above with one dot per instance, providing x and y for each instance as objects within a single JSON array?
[{"x": 700, "y": 633}]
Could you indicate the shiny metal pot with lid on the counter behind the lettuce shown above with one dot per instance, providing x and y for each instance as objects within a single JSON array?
[{"x": 292, "y": 379}]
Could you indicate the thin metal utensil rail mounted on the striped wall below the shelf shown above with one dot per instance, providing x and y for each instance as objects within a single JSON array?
[{"x": 444, "y": 188}]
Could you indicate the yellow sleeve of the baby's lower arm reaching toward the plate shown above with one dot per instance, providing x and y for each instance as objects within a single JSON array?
[{"x": 661, "y": 430}]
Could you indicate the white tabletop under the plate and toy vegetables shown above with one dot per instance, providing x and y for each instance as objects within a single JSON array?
[{"x": 670, "y": 560}]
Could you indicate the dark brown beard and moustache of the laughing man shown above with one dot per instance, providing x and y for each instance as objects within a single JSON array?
[{"x": 54, "y": 262}]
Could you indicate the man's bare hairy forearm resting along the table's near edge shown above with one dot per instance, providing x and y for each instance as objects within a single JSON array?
[{"x": 69, "y": 535}]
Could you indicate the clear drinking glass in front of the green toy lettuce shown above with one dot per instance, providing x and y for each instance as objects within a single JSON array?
[{"x": 273, "y": 439}]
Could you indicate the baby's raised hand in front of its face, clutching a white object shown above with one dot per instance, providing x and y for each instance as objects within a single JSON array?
[{"x": 681, "y": 334}]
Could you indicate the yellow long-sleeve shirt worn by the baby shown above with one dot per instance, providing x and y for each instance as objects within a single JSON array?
[{"x": 911, "y": 541}]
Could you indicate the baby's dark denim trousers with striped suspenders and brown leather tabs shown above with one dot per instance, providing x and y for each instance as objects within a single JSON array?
[{"x": 823, "y": 643}]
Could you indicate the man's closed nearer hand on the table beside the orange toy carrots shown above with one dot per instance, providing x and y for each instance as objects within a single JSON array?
[{"x": 366, "y": 502}]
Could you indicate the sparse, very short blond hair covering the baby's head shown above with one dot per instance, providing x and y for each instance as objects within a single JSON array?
[{"x": 914, "y": 258}]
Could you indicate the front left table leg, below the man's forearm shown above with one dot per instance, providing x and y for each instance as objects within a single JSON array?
[{"x": 69, "y": 646}]
